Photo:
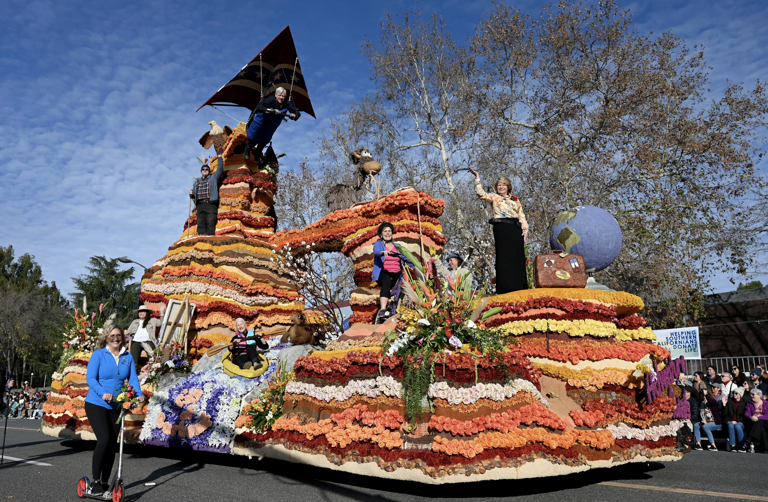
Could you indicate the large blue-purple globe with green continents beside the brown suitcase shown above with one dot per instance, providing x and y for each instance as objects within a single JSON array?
[{"x": 599, "y": 234}]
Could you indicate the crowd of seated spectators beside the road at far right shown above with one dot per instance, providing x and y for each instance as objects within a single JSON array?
[{"x": 733, "y": 402}]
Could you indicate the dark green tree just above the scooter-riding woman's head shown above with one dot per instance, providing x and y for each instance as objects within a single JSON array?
[{"x": 106, "y": 284}]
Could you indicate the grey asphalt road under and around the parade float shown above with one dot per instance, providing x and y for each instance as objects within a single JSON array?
[{"x": 41, "y": 468}]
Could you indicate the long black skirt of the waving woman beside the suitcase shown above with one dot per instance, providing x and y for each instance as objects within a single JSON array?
[{"x": 510, "y": 255}]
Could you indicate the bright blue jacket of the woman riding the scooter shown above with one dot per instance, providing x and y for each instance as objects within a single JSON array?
[{"x": 106, "y": 377}]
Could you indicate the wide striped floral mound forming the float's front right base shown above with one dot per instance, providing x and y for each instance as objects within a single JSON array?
[{"x": 579, "y": 386}]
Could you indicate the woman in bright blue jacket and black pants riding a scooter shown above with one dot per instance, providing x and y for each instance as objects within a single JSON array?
[{"x": 109, "y": 367}]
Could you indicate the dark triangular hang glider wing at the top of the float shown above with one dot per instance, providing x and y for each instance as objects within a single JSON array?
[{"x": 277, "y": 65}]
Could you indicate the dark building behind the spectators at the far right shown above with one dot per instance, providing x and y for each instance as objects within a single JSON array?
[{"x": 735, "y": 324}]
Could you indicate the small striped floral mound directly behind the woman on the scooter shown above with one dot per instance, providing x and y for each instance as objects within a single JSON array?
[{"x": 64, "y": 411}]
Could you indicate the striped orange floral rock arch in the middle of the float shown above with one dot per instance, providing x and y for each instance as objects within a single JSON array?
[{"x": 353, "y": 232}]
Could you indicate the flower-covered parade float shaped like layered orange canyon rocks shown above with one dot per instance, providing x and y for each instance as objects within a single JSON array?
[{"x": 459, "y": 386}]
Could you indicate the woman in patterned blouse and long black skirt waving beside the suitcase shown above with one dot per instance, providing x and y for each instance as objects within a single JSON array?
[{"x": 510, "y": 233}]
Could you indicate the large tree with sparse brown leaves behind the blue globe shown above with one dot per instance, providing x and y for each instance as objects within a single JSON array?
[{"x": 591, "y": 112}]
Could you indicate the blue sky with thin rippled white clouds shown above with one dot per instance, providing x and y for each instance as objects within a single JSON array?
[{"x": 98, "y": 100}]
